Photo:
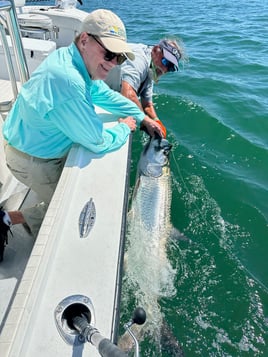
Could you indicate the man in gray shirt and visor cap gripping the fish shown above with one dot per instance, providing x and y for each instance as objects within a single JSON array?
[{"x": 134, "y": 79}]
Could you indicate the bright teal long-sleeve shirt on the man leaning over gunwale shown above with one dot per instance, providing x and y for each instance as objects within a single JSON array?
[{"x": 55, "y": 109}]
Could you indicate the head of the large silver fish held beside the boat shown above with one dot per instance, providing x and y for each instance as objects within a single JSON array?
[{"x": 155, "y": 157}]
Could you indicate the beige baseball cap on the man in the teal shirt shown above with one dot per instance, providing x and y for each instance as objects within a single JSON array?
[{"x": 109, "y": 29}]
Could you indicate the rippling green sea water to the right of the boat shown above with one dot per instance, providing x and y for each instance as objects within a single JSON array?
[{"x": 216, "y": 113}]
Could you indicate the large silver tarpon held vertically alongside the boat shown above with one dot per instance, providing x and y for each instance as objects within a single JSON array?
[{"x": 148, "y": 270}]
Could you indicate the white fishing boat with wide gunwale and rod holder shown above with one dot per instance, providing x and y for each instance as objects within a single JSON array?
[{"x": 75, "y": 263}]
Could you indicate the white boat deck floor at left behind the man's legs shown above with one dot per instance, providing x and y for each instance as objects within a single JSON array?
[{"x": 13, "y": 195}]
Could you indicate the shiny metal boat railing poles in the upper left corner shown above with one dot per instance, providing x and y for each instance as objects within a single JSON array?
[{"x": 9, "y": 26}]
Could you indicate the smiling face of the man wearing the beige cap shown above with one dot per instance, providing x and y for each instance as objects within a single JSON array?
[{"x": 93, "y": 55}]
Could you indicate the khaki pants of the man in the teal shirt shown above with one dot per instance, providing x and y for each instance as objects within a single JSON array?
[{"x": 40, "y": 175}]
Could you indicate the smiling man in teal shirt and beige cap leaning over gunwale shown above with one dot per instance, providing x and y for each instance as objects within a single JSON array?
[{"x": 55, "y": 109}]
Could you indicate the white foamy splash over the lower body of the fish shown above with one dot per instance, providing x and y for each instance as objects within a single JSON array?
[{"x": 148, "y": 272}]
